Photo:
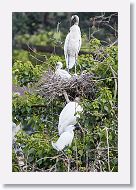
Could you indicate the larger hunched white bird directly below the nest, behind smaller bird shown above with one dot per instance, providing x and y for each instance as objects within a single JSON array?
[{"x": 69, "y": 115}]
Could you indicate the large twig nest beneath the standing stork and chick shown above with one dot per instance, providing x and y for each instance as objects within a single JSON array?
[{"x": 51, "y": 86}]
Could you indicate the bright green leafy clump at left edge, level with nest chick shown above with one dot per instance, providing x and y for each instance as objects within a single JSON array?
[{"x": 25, "y": 72}]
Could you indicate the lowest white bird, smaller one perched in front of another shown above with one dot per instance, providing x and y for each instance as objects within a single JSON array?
[{"x": 65, "y": 138}]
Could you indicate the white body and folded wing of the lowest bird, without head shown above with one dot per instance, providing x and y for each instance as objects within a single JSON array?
[{"x": 64, "y": 140}]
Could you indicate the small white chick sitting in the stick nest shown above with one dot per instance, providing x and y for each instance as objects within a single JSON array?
[{"x": 61, "y": 72}]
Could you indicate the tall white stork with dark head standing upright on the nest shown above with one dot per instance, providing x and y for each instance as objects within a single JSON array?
[{"x": 72, "y": 43}]
